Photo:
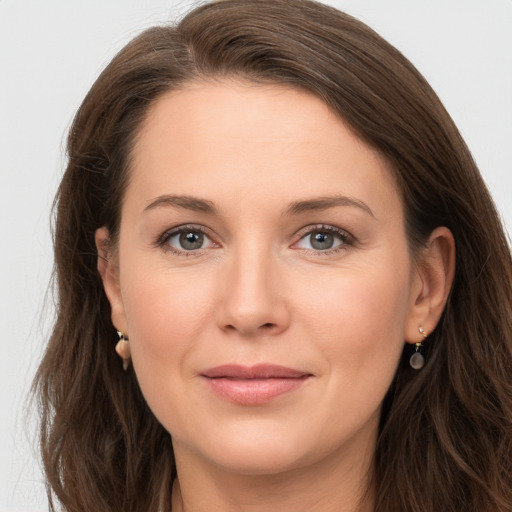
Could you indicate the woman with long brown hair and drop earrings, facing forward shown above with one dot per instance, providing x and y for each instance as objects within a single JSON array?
[{"x": 270, "y": 215}]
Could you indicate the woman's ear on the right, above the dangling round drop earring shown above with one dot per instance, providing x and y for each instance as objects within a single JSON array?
[{"x": 431, "y": 283}]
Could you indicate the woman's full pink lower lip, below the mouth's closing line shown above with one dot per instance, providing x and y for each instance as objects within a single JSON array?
[{"x": 254, "y": 391}]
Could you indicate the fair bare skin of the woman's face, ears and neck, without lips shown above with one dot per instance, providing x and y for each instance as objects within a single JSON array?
[{"x": 258, "y": 291}]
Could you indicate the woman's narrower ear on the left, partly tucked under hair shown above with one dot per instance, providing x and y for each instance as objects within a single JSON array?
[{"x": 108, "y": 267}]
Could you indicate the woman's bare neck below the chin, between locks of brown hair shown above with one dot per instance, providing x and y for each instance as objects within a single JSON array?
[{"x": 334, "y": 484}]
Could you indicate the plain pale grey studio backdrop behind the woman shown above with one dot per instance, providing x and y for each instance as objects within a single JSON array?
[{"x": 50, "y": 54}]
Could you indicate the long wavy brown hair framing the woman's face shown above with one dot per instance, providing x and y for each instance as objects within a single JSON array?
[{"x": 445, "y": 441}]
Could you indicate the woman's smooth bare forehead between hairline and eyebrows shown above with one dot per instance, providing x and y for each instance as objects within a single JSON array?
[{"x": 232, "y": 139}]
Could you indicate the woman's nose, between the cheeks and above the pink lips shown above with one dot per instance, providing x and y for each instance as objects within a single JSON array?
[{"x": 253, "y": 297}]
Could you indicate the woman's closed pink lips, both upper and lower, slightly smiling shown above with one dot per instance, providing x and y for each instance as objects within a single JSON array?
[{"x": 253, "y": 385}]
